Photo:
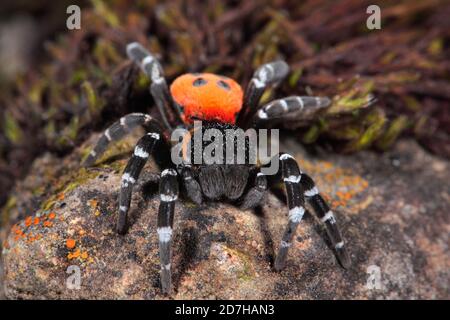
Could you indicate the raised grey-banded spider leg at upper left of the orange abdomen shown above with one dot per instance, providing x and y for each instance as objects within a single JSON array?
[{"x": 148, "y": 63}]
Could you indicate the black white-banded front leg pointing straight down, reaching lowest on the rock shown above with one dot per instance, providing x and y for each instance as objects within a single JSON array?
[{"x": 168, "y": 190}]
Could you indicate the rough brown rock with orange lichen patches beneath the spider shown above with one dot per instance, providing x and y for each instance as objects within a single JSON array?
[{"x": 392, "y": 209}]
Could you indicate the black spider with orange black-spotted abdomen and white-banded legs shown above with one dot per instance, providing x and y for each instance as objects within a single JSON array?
[{"x": 219, "y": 102}]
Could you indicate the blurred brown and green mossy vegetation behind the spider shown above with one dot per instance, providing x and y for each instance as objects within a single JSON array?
[{"x": 58, "y": 86}]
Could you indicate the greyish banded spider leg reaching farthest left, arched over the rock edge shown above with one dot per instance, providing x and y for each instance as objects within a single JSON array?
[{"x": 117, "y": 131}]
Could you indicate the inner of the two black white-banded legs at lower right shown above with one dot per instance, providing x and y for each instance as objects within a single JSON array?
[{"x": 291, "y": 175}]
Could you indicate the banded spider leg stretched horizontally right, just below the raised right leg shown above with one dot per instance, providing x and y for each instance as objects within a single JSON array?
[{"x": 297, "y": 106}]
